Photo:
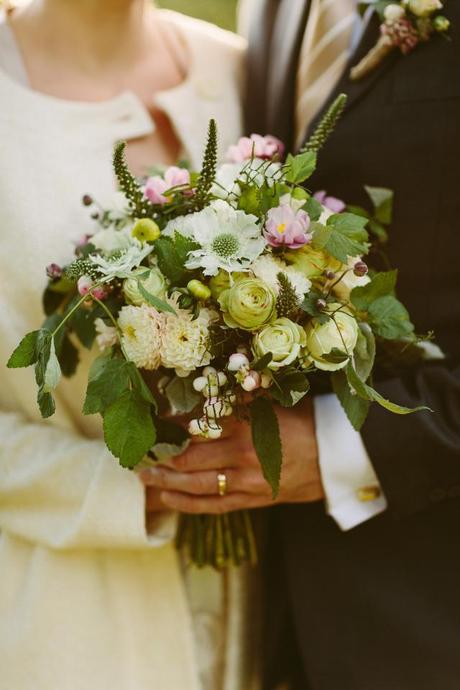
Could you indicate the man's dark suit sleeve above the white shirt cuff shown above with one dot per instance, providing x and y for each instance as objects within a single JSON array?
[{"x": 418, "y": 461}]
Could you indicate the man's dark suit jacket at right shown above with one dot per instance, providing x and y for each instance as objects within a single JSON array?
[{"x": 386, "y": 600}]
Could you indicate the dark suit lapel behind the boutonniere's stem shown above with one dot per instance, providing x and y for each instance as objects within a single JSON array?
[{"x": 356, "y": 90}]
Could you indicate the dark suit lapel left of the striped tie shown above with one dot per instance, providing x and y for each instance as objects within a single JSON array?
[{"x": 283, "y": 58}]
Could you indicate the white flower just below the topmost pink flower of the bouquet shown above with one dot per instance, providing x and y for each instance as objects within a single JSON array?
[{"x": 255, "y": 171}]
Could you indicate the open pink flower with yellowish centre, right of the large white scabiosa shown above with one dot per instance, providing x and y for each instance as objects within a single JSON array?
[{"x": 287, "y": 227}]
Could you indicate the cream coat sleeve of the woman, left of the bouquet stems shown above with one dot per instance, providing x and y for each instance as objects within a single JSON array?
[{"x": 64, "y": 491}]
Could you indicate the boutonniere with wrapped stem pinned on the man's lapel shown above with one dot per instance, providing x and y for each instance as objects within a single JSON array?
[{"x": 404, "y": 25}]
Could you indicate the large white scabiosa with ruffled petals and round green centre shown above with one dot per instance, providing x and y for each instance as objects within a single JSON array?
[{"x": 228, "y": 239}]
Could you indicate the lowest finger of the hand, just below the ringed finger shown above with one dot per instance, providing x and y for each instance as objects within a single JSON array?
[{"x": 212, "y": 505}]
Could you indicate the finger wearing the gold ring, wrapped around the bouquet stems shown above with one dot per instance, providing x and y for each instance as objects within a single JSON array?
[{"x": 206, "y": 483}]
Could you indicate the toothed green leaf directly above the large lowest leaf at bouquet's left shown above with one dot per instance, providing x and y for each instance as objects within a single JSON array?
[{"x": 109, "y": 378}]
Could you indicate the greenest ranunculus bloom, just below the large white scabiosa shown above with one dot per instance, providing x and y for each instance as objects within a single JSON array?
[{"x": 249, "y": 304}]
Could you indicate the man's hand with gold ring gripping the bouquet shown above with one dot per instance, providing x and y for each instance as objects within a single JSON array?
[{"x": 188, "y": 483}]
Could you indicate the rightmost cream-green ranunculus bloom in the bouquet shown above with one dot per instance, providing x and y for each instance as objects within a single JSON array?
[{"x": 339, "y": 332}]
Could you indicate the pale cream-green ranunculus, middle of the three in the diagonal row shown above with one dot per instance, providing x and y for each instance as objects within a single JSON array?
[{"x": 283, "y": 338}]
